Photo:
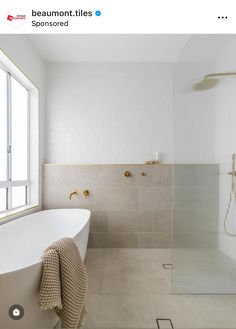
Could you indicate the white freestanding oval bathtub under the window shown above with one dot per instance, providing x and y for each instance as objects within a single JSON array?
[{"x": 22, "y": 243}]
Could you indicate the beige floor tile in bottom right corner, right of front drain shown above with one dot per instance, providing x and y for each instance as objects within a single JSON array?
[{"x": 189, "y": 311}]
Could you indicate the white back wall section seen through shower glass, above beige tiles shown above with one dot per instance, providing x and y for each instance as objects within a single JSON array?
[{"x": 193, "y": 114}]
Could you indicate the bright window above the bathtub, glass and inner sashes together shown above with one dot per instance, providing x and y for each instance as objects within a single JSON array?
[{"x": 14, "y": 142}]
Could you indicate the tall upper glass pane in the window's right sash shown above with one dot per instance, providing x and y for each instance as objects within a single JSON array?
[{"x": 19, "y": 130}]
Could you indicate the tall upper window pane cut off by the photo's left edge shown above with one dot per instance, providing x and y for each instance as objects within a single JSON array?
[{"x": 3, "y": 125}]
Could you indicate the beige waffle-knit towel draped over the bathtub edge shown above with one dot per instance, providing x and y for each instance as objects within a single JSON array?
[{"x": 64, "y": 283}]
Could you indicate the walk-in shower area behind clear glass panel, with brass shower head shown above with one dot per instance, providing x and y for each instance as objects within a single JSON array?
[{"x": 204, "y": 212}]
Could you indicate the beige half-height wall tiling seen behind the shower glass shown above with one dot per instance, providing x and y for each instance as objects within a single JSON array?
[{"x": 196, "y": 205}]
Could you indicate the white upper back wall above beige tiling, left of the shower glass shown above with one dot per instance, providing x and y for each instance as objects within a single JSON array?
[{"x": 108, "y": 112}]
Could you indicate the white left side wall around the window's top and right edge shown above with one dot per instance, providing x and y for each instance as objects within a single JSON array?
[{"x": 21, "y": 51}]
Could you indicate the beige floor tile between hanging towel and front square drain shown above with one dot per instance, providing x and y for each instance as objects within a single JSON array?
[{"x": 121, "y": 311}]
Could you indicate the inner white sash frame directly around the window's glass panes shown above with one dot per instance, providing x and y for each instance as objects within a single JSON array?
[{"x": 9, "y": 184}]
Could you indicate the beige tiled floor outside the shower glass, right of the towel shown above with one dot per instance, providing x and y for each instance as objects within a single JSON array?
[{"x": 129, "y": 288}]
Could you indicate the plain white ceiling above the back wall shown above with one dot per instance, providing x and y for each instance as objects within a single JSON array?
[{"x": 109, "y": 48}]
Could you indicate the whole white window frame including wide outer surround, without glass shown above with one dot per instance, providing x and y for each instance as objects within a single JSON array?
[{"x": 33, "y": 157}]
